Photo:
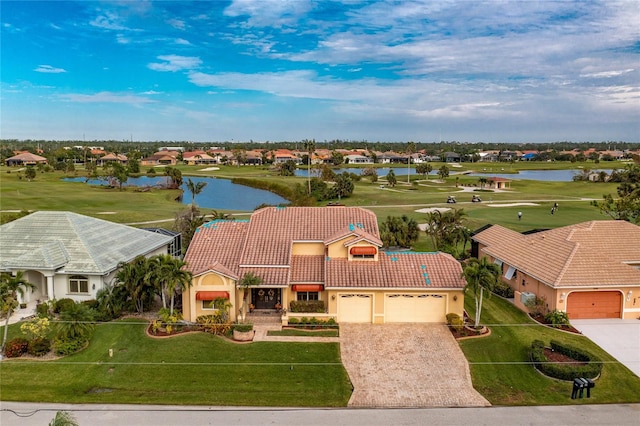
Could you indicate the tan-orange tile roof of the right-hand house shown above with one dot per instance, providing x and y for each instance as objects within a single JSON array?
[{"x": 593, "y": 253}]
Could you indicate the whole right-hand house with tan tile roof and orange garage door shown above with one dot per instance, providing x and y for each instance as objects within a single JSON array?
[{"x": 589, "y": 270}]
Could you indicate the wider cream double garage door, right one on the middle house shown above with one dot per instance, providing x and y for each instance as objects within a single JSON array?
[{"x": 402, "y": 307}]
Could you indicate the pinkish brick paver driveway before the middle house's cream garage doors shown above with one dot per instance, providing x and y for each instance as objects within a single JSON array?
[{"x": 406, "y": 365}]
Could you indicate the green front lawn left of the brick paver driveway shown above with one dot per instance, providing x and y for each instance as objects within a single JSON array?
[{"x": 192, "y": 369}]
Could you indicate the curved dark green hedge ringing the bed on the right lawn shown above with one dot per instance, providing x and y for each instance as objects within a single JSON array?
[{"x": 591, "y": 370}]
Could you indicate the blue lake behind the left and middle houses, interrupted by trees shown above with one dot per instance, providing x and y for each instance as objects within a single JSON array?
[{"x": 219, "y": 194}]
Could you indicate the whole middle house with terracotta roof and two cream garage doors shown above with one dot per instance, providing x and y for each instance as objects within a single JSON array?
[{"x": 328, "y": 254}]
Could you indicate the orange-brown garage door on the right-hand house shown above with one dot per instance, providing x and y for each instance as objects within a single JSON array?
[{"x": 594, "y": 304}]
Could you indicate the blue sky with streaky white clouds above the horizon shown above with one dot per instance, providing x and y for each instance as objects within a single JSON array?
[{"x": 267, "y": 70}]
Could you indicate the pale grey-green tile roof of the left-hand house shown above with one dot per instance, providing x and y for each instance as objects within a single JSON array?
[{"x": 52, "y": 240}]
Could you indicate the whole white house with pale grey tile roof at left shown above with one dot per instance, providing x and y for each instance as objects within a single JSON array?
[{"x": 68, "y": 255}]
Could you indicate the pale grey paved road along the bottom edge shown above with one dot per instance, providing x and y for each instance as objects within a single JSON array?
[{"x": 31, "y": 414}]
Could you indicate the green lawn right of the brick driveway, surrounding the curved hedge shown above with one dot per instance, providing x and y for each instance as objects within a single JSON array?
[{"x": 501, "y": 371}]
